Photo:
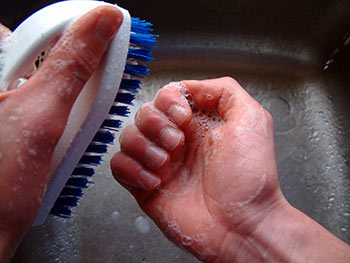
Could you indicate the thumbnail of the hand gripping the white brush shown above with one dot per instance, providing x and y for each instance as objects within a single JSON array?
[{"x": 108, "y": 23}]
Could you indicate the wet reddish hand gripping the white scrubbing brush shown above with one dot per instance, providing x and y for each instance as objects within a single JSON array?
[{"x": 34, "y": 115}]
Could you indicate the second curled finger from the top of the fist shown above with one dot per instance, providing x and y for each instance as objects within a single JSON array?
[{"x": 158, "y": 128}]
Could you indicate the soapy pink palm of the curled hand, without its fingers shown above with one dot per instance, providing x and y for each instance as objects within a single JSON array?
[{"x": 200, "y": 191}]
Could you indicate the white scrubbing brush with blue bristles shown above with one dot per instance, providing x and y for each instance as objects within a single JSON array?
[{"x": 94, "y": 116}]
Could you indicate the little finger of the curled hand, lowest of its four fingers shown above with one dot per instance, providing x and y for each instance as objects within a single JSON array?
[{"x": 130, "y": 172}]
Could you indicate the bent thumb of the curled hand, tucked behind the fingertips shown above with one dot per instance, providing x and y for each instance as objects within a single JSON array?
[{"x": 224, "y": 95}]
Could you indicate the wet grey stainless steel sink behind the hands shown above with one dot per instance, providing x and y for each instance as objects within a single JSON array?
[{"x": 292, "y": 56}]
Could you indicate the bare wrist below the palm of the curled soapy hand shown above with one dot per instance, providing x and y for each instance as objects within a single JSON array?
[{"x": 281, "y": 233}]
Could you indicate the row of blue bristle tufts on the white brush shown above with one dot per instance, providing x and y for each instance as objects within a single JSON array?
[{"x": 141, "y": 43}]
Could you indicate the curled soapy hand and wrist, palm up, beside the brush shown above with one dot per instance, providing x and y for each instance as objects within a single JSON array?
[{"x": 200, "y": 161}]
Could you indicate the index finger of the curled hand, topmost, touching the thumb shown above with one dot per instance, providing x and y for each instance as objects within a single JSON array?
[{"x": 171, "y": 101}]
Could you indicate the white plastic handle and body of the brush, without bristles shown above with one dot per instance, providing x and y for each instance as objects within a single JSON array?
[{"x": 94, "y": 101}]
